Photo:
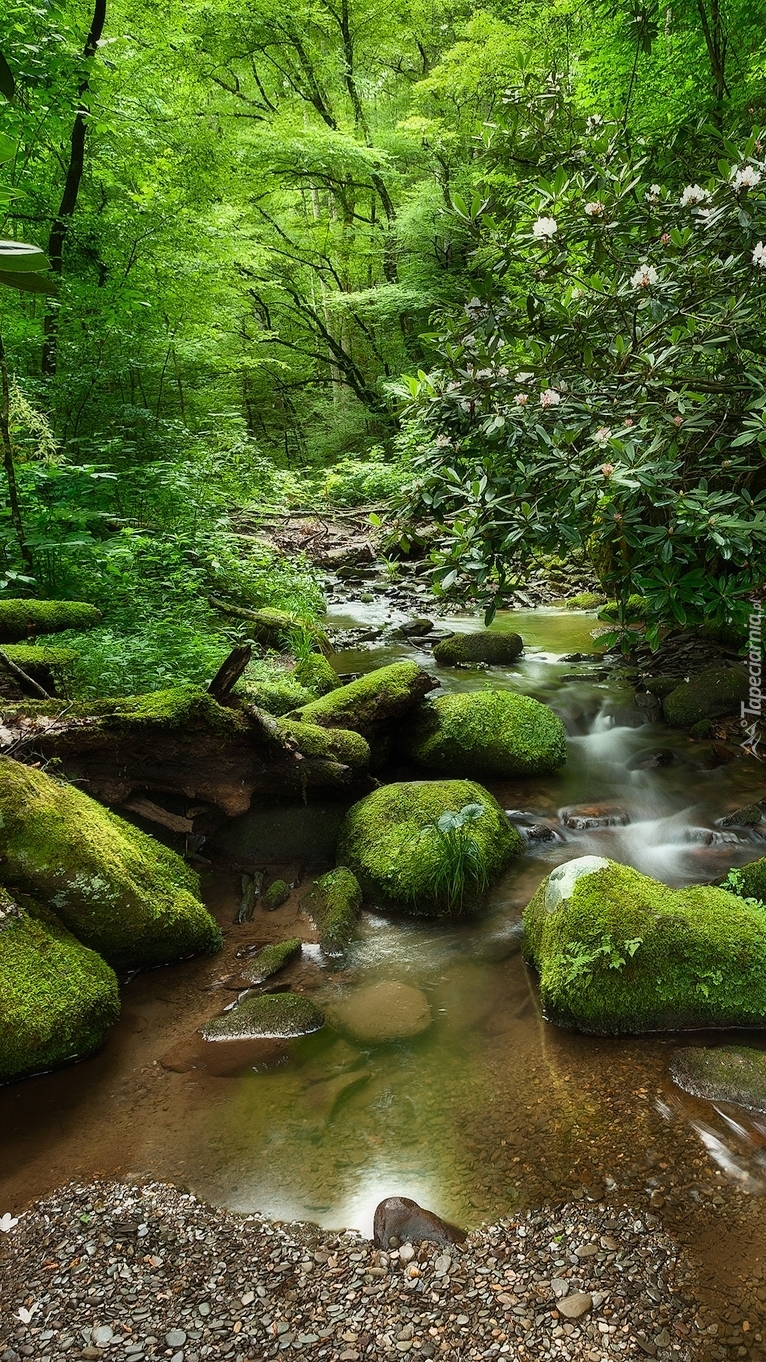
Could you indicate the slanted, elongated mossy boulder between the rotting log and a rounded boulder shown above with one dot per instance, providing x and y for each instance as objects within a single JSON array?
[{"x": 378, "y": 698}]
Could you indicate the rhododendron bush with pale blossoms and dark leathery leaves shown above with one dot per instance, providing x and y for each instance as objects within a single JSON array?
[{"x": 606, "y": 387}]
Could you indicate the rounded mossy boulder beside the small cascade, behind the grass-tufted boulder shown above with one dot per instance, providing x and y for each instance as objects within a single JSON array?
[{"x": 486, "y": 733}]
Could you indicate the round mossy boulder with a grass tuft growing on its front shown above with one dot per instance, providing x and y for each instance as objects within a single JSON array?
[{"x": 390, "y": 842}]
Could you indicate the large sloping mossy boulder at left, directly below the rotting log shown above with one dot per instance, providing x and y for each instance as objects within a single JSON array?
[{"x": 118, "y": 890}]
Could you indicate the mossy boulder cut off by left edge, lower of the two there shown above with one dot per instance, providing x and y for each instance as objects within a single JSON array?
[{"x": 58, "y": 999}]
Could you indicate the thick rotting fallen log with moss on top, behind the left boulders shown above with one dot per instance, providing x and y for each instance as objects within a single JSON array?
[{"x": 182, "y": 742}]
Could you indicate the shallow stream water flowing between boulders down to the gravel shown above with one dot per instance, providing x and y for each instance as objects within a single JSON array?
[{"x": 490, "y": 1108}]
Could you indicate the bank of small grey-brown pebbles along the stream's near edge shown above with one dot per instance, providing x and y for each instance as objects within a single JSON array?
[{"x": 130, "y": 1273}]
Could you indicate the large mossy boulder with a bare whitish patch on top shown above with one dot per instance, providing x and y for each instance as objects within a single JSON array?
[{"x": 619, "y": 953}]
